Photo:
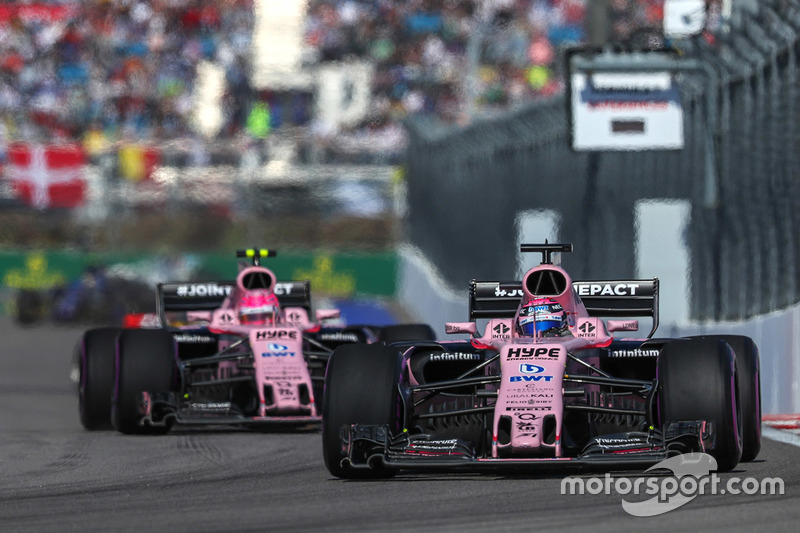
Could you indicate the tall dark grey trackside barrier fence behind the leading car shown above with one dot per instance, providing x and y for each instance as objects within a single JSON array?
[{"x": 466, "y": 187}]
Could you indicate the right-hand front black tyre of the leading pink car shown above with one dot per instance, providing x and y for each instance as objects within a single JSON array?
[{"x": 697, "y": 380}]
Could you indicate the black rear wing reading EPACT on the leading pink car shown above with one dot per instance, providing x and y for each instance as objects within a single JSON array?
[{"x": 619, "y": 298}]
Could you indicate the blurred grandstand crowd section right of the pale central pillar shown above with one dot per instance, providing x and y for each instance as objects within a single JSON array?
[{"x": 422, "y": 48}]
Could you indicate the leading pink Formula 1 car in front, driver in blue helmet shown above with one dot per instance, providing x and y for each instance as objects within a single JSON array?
[{"x": 545, "y": 385}]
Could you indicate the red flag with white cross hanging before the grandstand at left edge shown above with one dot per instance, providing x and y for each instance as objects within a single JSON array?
[{"x": 47, "y": 176}]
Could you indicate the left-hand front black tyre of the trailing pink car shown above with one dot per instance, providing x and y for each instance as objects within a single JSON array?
[{"x": 146, "y": 361}]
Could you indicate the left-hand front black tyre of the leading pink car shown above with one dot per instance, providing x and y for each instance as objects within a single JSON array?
[{"x": 360, "y": 388}]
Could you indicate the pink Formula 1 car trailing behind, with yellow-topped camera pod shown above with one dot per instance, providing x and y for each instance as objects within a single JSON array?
[{"x": 241, "y": 352}]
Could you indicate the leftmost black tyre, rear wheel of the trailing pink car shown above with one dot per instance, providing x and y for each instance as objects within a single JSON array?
[{"x": 96, "y": 353}]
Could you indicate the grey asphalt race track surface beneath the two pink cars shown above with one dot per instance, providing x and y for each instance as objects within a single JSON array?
[{"x": 55, "y": 476}]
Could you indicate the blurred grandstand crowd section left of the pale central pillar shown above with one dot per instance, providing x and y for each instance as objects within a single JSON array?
[{"x": 109, "y": 70}]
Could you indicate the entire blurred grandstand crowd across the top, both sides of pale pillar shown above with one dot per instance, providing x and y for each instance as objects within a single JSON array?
[{"x": 111, "y": 71}]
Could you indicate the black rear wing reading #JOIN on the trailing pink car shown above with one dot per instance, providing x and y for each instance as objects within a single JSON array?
[{"x": 209, "y": 295}]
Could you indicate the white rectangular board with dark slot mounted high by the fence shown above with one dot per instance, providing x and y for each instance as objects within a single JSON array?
[{"x": 623, "y": 111}]
